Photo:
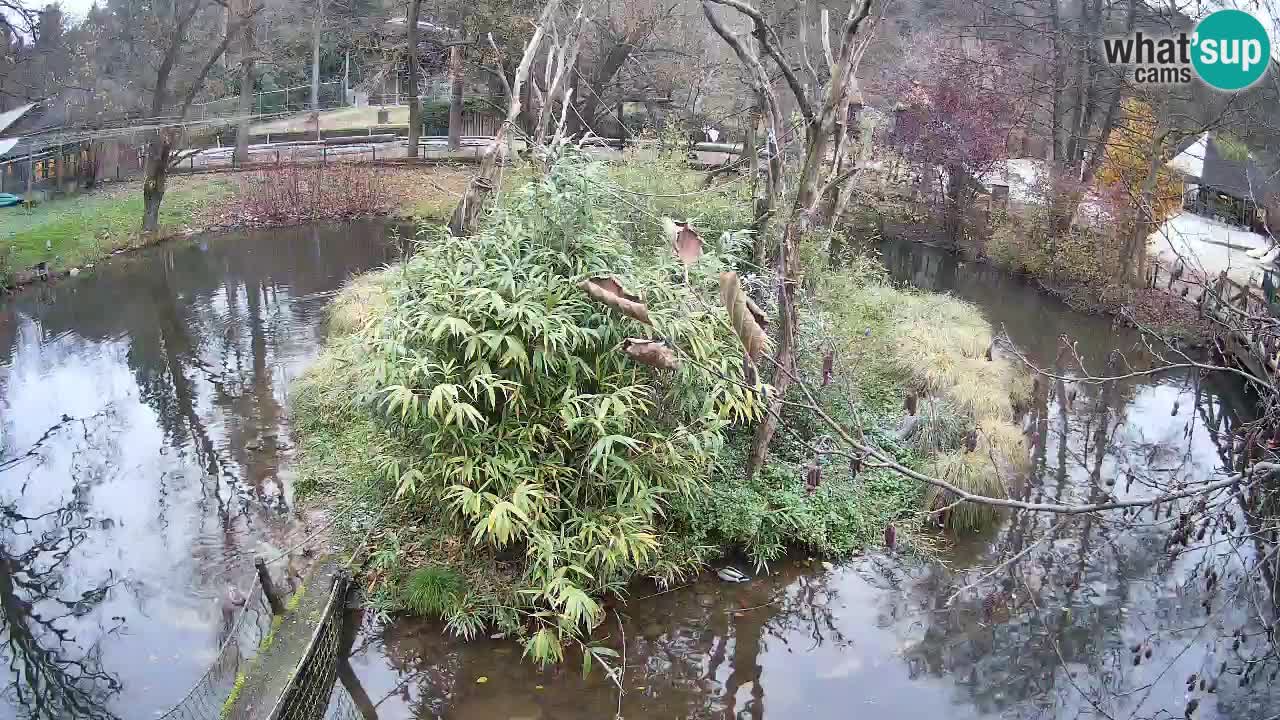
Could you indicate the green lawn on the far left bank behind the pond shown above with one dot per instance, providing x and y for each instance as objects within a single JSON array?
[{"x": 83, "y": 229}]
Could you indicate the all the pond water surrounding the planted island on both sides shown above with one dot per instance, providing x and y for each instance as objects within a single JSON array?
[{"x": 131, "y": 499}]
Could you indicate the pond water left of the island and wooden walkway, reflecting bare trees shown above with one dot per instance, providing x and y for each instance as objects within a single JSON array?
[{"x": 143, "y": 432}]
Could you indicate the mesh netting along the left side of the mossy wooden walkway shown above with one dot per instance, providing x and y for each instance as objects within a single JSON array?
[{"x": 207, "y": 699}]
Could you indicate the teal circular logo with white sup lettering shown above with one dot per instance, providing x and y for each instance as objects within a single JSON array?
[{"x": 1232, "y": 51}]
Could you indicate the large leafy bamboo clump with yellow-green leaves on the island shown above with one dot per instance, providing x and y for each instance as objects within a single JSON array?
[{"x": 519, "y": 414}]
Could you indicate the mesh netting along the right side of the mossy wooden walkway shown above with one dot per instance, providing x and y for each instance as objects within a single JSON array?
[{"x": 308, "y": 694}]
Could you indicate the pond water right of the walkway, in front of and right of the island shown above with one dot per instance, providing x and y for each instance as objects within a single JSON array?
[{"x": 1048, "y": 636}]
